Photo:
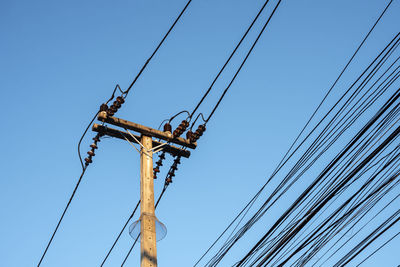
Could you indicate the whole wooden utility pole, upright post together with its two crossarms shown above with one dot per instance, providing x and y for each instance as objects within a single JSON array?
[{"x": 148, "y": 247}]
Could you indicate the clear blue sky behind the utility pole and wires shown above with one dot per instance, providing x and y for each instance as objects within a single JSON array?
[{"x": 59, "y": 60}]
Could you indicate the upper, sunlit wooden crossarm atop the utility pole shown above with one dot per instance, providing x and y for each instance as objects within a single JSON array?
[{"x": 167, "y": 136}]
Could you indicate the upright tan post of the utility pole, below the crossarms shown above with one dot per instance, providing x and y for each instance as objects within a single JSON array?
[{"x": 148, "y": 248}]
